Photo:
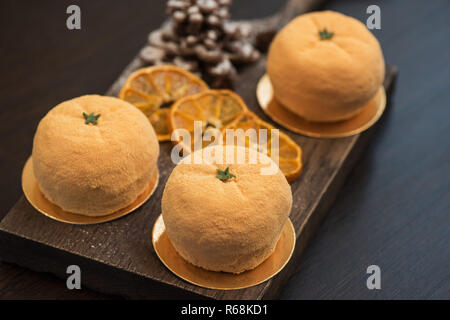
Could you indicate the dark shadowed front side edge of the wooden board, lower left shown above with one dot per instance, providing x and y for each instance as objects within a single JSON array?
[{"x": 126, "y": 284}]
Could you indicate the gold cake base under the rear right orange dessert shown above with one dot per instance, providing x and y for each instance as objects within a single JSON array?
[{"x": 369, "y": 114}]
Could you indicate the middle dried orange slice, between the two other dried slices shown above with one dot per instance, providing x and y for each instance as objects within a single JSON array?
[{"x": 214, "y": 108}]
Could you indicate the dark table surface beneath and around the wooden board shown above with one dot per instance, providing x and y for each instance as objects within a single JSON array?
[{"x": 394, "y": 210}]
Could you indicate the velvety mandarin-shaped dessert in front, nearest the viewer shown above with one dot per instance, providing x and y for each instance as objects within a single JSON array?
[{"x": 225, "y": 217}]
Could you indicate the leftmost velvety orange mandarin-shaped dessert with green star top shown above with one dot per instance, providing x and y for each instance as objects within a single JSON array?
[{"x": 94, "y": 155}]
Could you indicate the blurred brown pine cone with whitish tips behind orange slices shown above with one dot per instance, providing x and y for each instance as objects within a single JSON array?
[{"x": 201, "y": 39}]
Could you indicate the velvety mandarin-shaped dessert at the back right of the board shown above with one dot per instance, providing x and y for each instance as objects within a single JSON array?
[{"x": 325, "y": 66}]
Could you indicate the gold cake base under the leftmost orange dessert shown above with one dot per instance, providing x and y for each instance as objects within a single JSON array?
[{"x": 37, "y": 199}]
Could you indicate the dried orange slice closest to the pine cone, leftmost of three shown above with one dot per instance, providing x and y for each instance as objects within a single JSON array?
[{"x": 154, "y": 89}]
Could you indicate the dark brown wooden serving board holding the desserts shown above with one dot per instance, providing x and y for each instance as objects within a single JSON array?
[{"x": 117, "y": 257}]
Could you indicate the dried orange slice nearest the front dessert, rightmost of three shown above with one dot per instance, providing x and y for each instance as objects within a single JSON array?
[{"x": 289, "y": 152}]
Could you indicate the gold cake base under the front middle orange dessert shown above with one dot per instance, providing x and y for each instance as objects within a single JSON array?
[{"x": 222, "y": 280}]
